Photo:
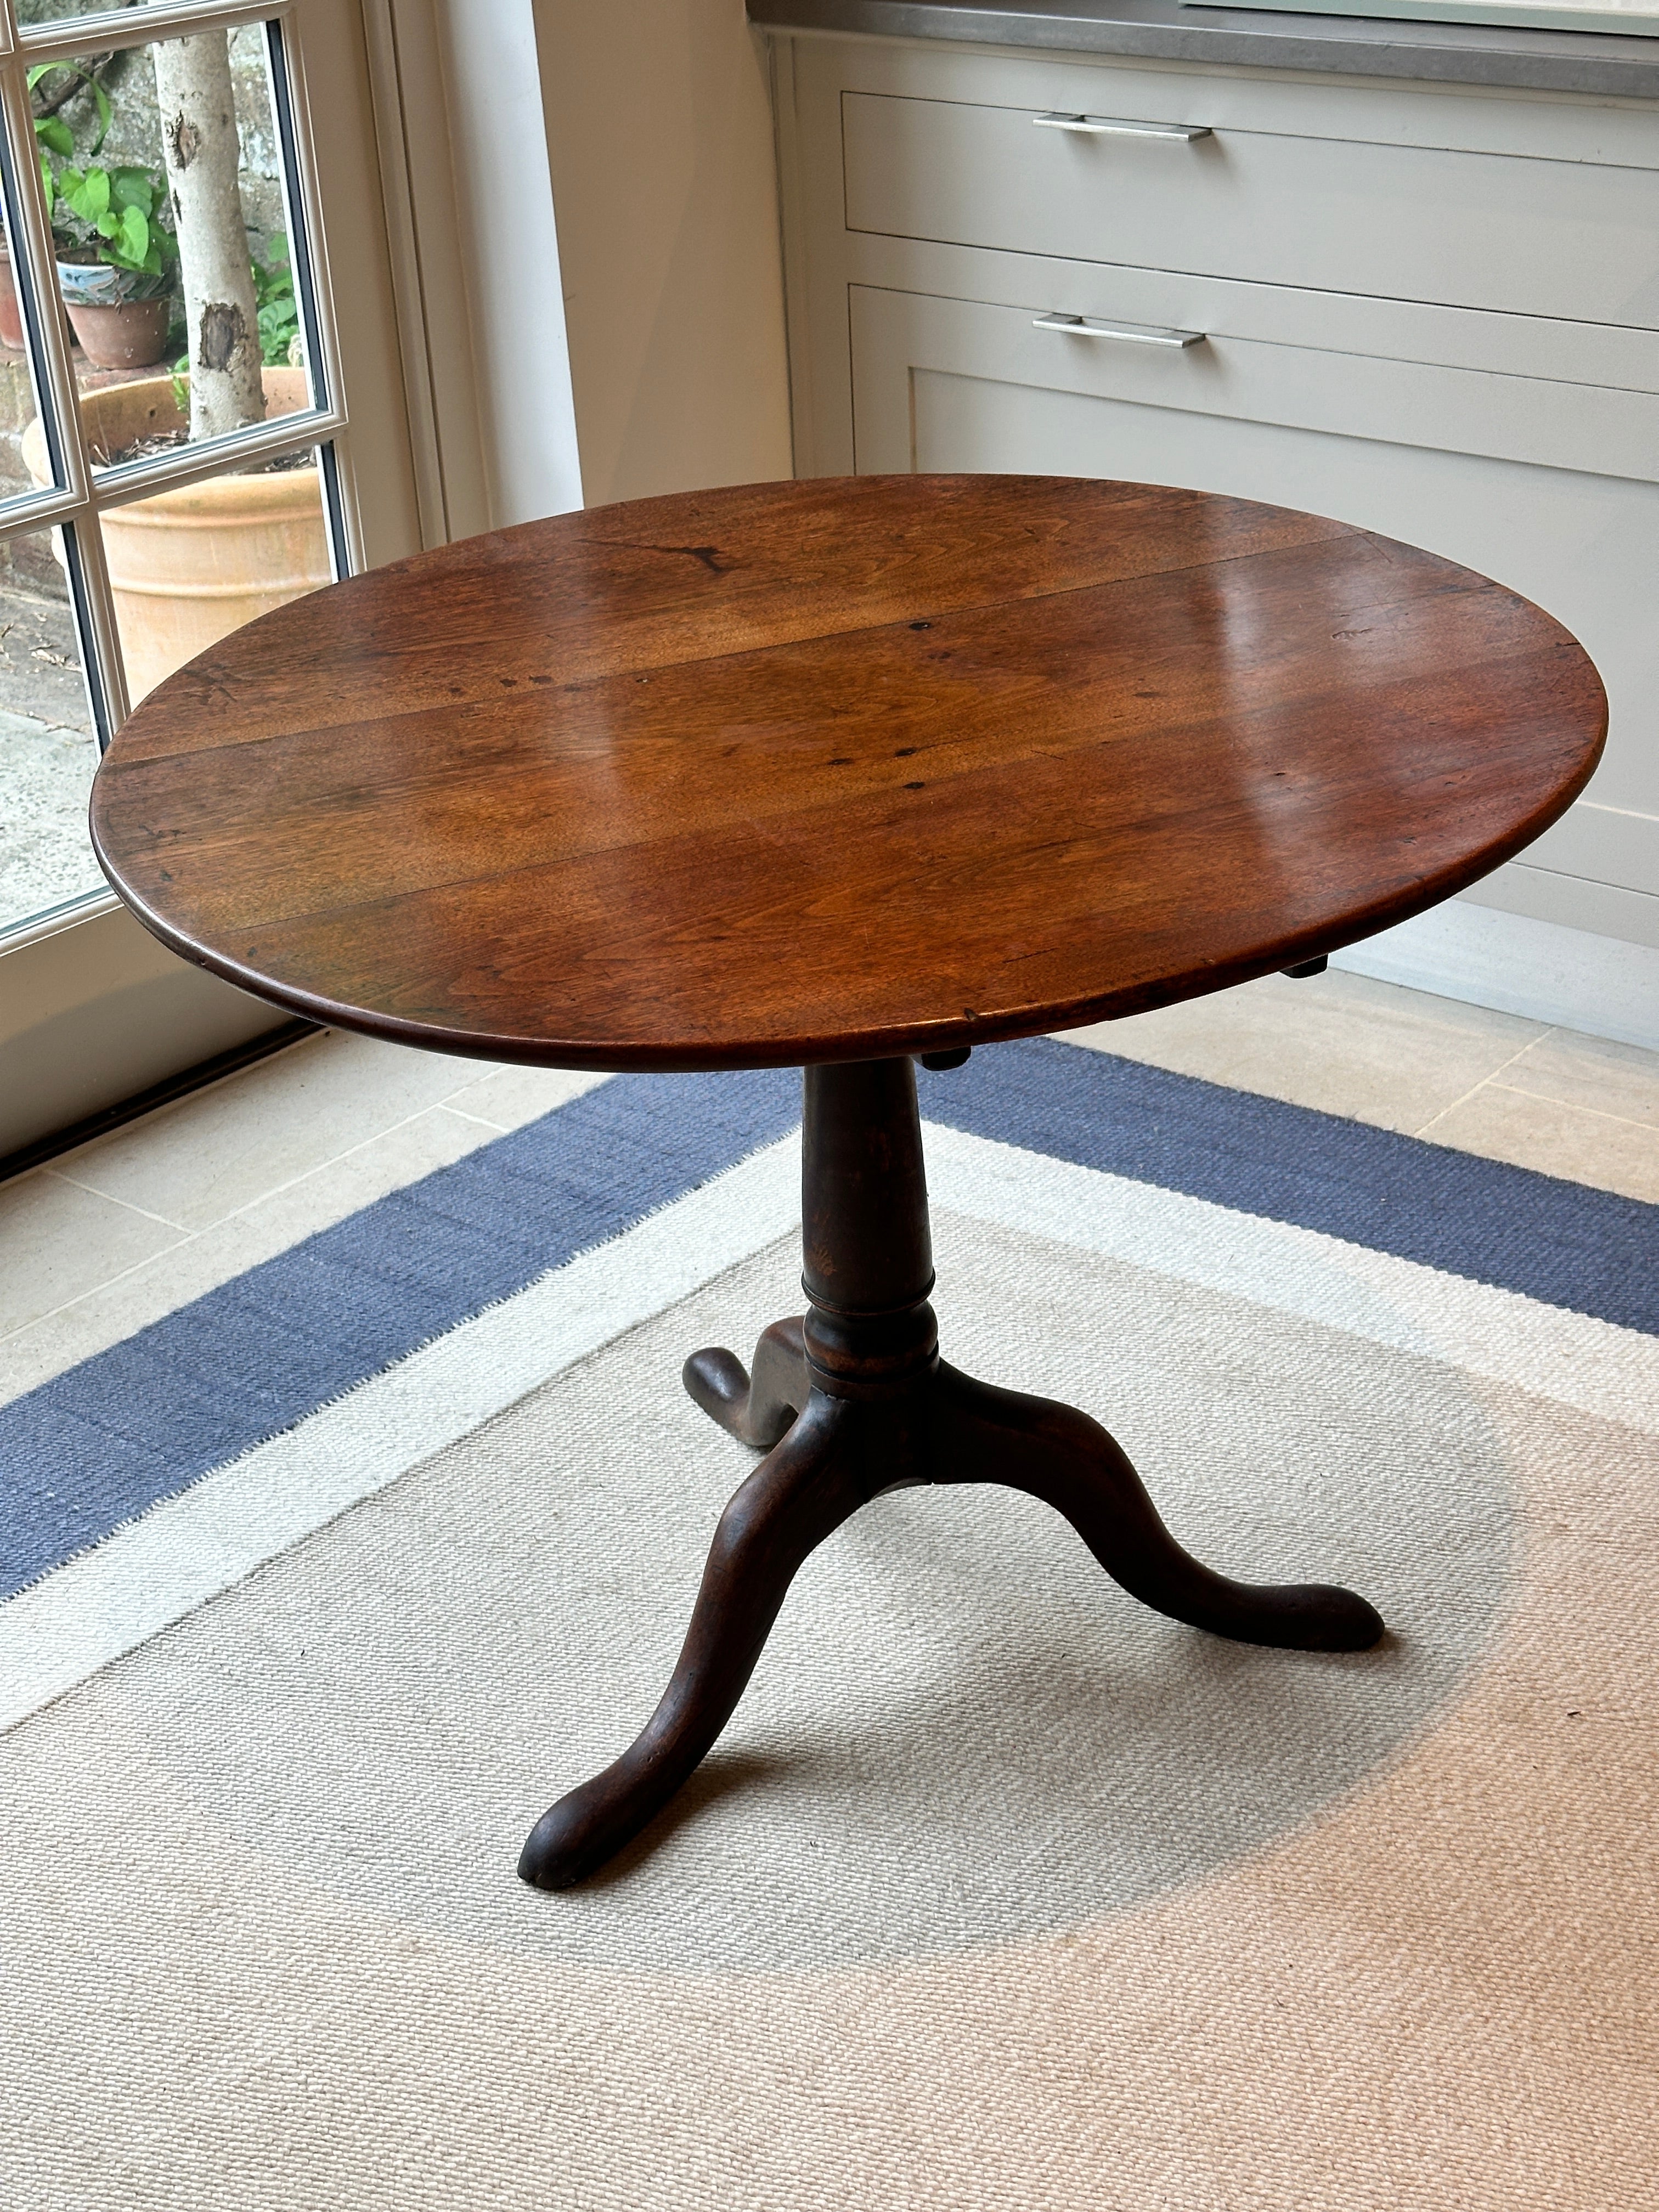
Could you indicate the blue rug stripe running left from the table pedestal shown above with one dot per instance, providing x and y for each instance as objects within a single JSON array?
[{"x": 167, "y": 1406}]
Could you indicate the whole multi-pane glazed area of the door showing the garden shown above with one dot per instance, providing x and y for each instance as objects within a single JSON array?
[{"x": 169, "y": 375}]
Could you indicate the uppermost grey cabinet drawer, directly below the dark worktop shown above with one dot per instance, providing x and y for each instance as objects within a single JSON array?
[{"x": 1512, "y": 233}]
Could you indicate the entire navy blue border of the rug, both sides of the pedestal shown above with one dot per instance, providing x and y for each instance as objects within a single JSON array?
[{"x": 255, "y": 1357}]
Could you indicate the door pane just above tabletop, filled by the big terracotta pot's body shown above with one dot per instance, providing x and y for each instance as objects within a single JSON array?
[{"x": 191, "y": 565}]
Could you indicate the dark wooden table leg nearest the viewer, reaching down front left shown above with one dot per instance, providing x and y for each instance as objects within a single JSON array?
[{"x": 793, "y": 1501}]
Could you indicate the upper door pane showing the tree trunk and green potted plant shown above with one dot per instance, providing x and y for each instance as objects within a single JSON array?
[{"x": 134, "y": 238}]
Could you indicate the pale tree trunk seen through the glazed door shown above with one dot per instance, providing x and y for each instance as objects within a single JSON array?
[{"x": 205, "y": 154}]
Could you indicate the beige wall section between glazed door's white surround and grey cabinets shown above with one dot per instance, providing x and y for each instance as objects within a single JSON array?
[{"x": 665, "y": 191}]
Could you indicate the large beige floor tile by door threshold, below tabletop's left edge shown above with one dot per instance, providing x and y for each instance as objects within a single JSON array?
[{"x": 229, "y": 1147}]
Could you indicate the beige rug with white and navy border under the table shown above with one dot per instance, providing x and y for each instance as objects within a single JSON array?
[{"x": 999, "y": 1890}]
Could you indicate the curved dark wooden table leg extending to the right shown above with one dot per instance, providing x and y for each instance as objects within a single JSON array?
[{"x": 1063, "y": 1457}]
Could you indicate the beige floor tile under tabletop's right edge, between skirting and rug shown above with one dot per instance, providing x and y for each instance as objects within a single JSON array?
[{"x": 1337, "y": 1043}]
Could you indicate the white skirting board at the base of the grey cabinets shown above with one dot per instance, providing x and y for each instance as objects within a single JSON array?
[{"x": 1521, "y": 966}]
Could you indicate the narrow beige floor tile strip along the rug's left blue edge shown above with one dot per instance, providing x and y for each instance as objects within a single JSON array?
[{"x": 198, "y": 1264}]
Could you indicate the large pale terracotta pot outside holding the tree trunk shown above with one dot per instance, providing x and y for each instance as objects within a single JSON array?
[{"x": 189, "y": 567}]
